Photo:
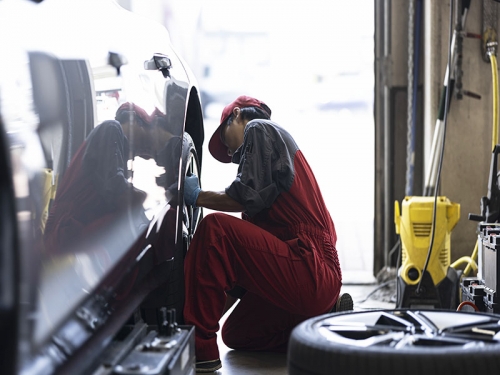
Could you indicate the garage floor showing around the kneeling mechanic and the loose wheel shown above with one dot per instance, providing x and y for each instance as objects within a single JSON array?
[{"x": 250, "y": 363}]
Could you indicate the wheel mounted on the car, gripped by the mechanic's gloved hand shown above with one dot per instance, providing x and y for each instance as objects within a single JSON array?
[{"x": 190, "y": 219}]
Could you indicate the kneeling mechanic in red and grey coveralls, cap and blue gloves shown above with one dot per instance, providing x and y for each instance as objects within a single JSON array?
[{"x": 280, "y": 261}]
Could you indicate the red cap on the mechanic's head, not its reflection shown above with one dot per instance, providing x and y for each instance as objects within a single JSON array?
[{"x": 215, "y": 146}]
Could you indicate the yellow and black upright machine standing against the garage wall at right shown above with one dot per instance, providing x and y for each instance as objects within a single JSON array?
[{"x": 437, "y": 286}]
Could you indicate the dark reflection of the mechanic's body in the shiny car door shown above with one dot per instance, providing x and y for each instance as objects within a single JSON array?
[{"x": 93, "y": 195}]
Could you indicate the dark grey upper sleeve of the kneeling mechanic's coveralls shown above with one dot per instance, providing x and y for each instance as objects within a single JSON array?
[{"x": 255, "y": 184}]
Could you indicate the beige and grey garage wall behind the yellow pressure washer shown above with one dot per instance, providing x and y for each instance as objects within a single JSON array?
[{"x": 467, "y": 155}]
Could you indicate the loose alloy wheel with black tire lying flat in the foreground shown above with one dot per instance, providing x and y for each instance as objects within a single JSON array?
[{"x": 391, "y": 342}]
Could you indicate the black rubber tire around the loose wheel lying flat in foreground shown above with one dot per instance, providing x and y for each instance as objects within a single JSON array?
[{"x": 309, "y": 353}]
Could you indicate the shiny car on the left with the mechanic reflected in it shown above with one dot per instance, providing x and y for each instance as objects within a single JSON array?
[{"x": 100, "y": 123}]
